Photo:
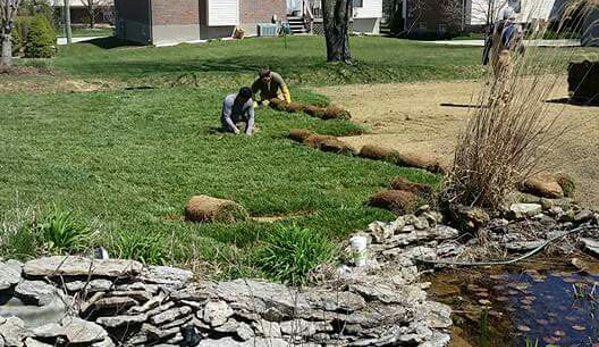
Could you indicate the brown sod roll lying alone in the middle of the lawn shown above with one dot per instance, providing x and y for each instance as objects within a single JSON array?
[{"x": 207, "y": 209}]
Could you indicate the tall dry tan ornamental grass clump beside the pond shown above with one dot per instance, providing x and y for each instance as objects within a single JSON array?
[{"x": 510, "y": 131}]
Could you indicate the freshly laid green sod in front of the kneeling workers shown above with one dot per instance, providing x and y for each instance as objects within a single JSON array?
[{"x": 129, "y": 160}]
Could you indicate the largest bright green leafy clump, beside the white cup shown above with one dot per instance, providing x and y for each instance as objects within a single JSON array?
[{"x": 292, "y": 252}]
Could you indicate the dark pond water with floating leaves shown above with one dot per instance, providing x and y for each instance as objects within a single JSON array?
[{"x": 552, "y": 305}]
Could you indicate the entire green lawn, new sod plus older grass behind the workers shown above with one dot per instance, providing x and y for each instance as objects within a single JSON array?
[{"x": 126, "y": 160}]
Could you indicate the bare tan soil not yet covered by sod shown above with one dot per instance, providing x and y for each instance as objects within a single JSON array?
[{"x": 429, "y": 116}]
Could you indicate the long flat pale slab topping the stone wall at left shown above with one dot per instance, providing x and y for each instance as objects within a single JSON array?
[{"x": 79, "y": 266}]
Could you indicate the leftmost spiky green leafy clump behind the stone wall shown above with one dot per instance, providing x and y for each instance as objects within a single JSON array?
[{"x": 60, "y": 232}]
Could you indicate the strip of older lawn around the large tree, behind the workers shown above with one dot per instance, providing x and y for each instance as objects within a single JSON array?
[{"x": 232, "y": 63}]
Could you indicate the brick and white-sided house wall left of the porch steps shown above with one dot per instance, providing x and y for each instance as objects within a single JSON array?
[{"x": 172, "y": 21}]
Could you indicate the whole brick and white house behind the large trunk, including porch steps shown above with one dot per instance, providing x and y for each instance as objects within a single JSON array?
[{"x": 163, "y": 22}]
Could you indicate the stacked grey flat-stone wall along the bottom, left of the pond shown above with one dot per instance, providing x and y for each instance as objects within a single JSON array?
[{"x": 104, "y": 303}]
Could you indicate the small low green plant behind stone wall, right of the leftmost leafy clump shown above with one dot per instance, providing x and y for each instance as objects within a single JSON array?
[{"x": 141, "y": 246}]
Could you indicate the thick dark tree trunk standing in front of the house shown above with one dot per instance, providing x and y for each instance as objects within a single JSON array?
[{"x": 336, "y": 15}]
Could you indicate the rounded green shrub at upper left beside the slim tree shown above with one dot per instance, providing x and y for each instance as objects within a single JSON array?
[{"x": 41, "y": 39}]
